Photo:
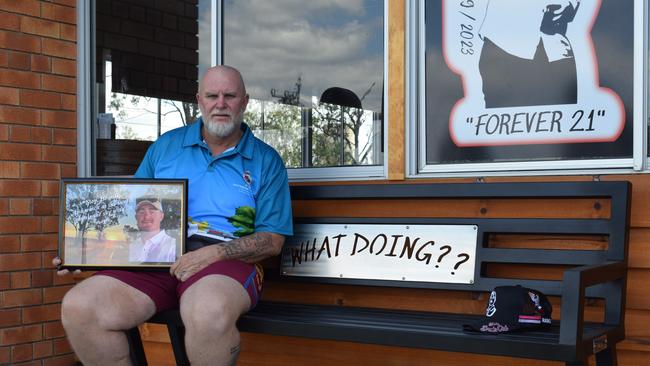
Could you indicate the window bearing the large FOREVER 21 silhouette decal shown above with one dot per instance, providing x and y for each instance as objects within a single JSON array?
[{"x": 534, "y": 91}]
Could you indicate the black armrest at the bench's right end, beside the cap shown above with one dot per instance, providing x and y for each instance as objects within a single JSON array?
[{"x": 611, "y": 275}]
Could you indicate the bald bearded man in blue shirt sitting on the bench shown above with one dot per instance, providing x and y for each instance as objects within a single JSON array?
[{"x": 238, "y": 188}]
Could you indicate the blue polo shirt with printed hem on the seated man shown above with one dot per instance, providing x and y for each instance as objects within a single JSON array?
[{"x": 243, "y": 190}]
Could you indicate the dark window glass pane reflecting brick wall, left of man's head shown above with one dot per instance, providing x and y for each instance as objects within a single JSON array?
[{"x": 149, "y": 57}]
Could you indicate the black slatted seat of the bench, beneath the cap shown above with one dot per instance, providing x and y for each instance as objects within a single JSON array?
[{"x": 406, "y": 329}]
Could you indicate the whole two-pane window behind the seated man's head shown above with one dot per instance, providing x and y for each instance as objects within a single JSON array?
[{"x": 314, "y": 71}]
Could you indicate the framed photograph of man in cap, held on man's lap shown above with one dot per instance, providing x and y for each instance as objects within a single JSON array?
[{"x": 122, "y": 223}]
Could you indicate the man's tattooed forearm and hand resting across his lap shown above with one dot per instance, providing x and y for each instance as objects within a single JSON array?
[{"x": 250, "y": 248}]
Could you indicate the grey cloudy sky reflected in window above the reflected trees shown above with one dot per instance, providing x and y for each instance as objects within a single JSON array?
[{"x": 325, "y": 42}]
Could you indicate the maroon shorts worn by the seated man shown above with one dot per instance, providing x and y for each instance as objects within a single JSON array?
[{"x": 166, "y": 290}]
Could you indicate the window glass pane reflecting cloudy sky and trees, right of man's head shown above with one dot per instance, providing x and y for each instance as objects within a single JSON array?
[{"x": 314, "y": 71}]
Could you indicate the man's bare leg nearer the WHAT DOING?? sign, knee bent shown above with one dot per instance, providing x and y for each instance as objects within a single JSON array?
[{"x": 210, "y": 309}]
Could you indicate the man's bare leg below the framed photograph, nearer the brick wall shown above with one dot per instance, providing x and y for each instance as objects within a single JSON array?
[{"x": 95, "y": 314}]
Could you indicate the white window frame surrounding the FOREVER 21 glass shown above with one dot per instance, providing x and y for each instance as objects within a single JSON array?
[{"x": 416, "y": 102}]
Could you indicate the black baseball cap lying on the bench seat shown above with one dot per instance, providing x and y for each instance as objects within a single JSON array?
[{"x": 513, "y": 308}]
